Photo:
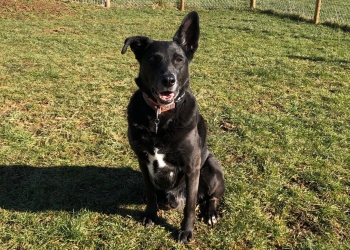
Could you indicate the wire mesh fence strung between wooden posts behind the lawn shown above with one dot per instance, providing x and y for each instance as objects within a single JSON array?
[{"x": 332, "y": 11}]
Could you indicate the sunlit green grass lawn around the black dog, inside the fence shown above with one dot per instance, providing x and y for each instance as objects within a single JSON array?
[{"x": 275, "y": 94}]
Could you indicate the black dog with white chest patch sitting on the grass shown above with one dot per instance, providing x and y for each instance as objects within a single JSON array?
[{"x": 166, "y": 131}]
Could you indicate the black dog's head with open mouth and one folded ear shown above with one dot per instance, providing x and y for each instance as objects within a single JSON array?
[{"x": 164, "y": 71}]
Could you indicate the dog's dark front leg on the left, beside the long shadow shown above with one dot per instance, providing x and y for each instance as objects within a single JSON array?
[{"x": 151, "y": 207}]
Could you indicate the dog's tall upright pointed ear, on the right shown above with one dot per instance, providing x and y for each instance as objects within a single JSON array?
[{"x": 187, "y": 36}]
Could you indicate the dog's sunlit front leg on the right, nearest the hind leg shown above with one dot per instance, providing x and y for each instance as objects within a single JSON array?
[{"x": 192, "y": 180}]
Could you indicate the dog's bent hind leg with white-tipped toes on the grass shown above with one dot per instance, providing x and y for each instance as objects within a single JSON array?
[{"x": 211, "y": 188}]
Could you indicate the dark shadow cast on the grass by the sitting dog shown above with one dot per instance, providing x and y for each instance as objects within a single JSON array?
[{"x": 106, "y": 190}]
